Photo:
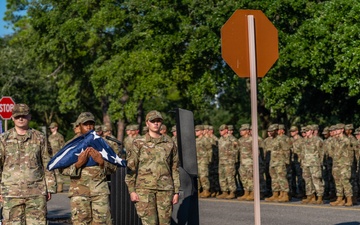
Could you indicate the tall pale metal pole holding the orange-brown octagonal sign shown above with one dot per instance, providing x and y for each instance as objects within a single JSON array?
[{"x": 255, "y": 147}]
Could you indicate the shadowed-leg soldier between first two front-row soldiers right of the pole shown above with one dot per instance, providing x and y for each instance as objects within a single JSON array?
[{"x": 297, "y": 183}]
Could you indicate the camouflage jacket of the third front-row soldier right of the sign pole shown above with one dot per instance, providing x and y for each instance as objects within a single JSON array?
[{"x": 342, "y": 153}]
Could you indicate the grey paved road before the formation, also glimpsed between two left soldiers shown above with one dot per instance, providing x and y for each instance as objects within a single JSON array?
[{"x": 232, "y": 212}]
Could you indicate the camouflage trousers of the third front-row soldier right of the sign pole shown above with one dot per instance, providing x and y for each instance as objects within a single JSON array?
[{"x": 342, "y": 177}]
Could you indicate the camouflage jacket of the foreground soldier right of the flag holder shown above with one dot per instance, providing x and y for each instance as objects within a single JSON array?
[{"x": 153, "y": 164}]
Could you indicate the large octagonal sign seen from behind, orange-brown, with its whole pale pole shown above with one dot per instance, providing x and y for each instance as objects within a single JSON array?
[{"x": 250, "y": 47}]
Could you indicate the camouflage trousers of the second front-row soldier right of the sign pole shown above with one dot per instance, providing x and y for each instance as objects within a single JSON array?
[{"x": 313, "y": 181}]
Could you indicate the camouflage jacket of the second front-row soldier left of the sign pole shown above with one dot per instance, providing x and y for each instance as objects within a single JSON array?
[{"x": 228, "y": 150}]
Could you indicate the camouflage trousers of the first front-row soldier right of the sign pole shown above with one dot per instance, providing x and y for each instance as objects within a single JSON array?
[{"x": 279, "y": 181}]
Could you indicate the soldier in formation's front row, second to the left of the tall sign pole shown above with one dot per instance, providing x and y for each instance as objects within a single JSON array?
[{"x": 228, "y": 150}]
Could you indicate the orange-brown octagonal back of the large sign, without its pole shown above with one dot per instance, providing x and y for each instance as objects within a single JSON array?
[{"x": 235, "y": 43}]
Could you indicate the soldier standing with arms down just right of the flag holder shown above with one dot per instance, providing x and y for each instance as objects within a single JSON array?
[{"x": 153, "y": 180}]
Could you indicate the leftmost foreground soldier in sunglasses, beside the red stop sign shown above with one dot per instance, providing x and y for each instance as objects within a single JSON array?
[{"x": 26, "y": 184}]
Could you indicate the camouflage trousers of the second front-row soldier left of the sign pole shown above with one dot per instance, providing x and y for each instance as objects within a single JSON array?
[{"x": 227, "y": 177}]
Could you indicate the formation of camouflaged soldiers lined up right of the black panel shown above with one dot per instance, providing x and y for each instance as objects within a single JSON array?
[{"x": 303, "y": 166}]
